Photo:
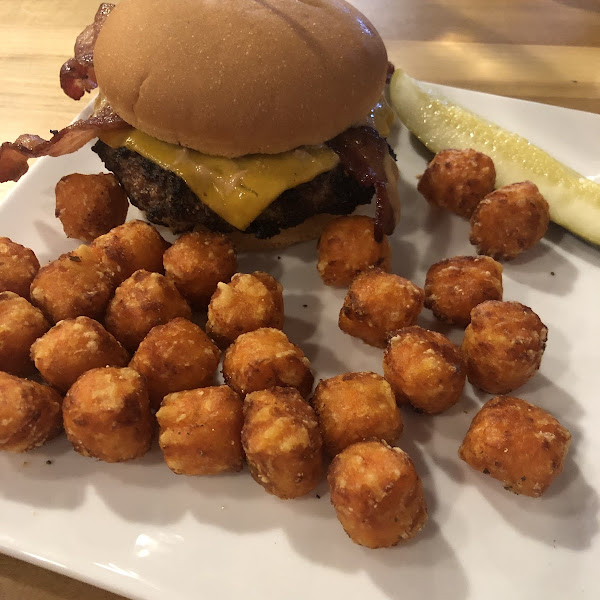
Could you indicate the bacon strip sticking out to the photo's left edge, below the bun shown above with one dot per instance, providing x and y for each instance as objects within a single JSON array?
[{"x": 14, "y": 156}]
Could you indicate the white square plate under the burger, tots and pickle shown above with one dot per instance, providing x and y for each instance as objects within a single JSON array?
[{"x": 144, "y": 532}]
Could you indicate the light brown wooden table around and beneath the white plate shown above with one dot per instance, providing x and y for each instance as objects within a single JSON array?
[{"x": 542, "y": 50}]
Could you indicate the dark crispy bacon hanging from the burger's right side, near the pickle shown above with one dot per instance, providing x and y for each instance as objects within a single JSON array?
[{"x": 363, "y": 153}]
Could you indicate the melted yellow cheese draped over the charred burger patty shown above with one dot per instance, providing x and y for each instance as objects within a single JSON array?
[{"x": 239, "y": 189}]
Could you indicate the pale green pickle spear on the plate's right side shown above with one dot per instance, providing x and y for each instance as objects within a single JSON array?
[{"x": 574, "y": 200}]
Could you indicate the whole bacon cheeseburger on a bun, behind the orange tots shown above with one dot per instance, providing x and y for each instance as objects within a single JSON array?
[{"x": 257, "y": 118}]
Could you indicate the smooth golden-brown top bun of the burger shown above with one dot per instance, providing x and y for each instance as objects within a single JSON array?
[{"x": 236, "y": 77}]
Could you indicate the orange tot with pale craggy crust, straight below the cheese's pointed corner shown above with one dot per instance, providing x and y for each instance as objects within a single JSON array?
[{"x": 248, "y": 302}]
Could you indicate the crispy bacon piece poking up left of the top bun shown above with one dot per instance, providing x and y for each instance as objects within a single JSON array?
[{"x": 77, "y": 75}]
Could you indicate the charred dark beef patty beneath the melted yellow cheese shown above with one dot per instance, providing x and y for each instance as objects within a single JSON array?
[{"x": 167, "y": 200}]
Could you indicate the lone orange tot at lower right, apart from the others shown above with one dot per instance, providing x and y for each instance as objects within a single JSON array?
[{"x": 518, "y": 443}]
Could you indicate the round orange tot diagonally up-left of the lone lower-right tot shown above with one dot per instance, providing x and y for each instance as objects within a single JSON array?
[{"x": 425, "y": 369}]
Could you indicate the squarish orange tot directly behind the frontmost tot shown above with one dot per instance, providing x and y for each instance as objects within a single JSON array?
[{"x": 355, "y": 407}]
